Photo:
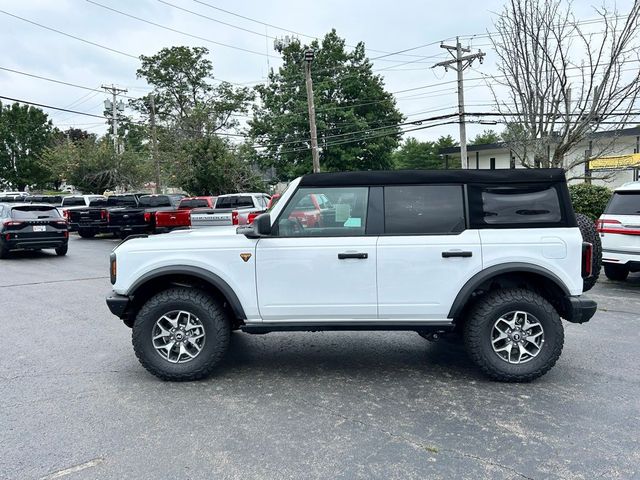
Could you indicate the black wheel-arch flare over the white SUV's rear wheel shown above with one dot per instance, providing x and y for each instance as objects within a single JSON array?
[{"x": 515, "y": 274}]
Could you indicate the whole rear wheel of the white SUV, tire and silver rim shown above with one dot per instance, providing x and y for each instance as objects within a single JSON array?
[{"x": 514, "y": 335}]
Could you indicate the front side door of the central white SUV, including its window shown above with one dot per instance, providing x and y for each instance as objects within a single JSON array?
[{"x": 320, "y": 264}]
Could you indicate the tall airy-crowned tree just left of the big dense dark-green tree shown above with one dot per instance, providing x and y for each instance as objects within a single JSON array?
[{"x": 190, "y": 114}]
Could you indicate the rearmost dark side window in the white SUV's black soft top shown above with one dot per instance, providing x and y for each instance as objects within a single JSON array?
[{"x": 516, "y": 205}]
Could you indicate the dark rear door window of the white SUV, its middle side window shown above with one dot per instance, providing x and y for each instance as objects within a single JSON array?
[{"x": 424, "y": 209}]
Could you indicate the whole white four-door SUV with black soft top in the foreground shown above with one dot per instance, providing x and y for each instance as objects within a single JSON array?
[{"x": 495, "y": 255}]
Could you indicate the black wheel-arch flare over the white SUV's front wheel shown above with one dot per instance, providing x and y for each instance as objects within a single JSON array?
[{"x": 187, "y": 276}]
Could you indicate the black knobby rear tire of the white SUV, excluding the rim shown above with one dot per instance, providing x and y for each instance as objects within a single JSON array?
[{"x": 479, "y": 325}]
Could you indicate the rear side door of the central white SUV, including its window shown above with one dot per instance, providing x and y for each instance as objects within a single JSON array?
[{"x": 426, "y": 254}]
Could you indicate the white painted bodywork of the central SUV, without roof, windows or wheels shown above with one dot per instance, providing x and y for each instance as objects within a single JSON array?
[{"x": 273, "y": 285}]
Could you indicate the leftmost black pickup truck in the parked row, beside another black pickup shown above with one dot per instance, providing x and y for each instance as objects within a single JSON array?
[{"x": 95, "y": 219}]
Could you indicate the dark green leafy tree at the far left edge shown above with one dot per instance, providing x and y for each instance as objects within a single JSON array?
[{"x": 25, "y": 133}]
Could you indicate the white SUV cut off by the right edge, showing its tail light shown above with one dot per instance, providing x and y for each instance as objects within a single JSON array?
[{"x": 619, "y": 228}]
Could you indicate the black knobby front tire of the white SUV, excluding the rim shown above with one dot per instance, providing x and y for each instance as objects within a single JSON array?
[{"x": 214, "y": 320}]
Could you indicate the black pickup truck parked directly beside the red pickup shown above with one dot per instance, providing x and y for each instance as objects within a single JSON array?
[{"x": 141, "y": 217}]
